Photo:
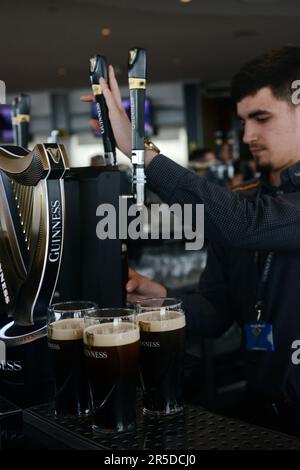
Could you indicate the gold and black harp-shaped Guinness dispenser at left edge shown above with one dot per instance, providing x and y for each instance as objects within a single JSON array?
[{"x": 31, "y": 242}]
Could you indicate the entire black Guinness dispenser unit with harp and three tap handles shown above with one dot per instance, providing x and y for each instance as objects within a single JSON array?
[{"x": 49, "y": 249}]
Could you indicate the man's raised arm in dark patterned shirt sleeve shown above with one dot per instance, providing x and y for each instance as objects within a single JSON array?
[{"x": 266, "y": 223}]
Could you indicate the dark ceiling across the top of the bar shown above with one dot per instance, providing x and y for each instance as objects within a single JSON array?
[{"x": 47, "y": 44}]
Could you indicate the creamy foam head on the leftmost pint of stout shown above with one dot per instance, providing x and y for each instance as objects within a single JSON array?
[{"x": 66, "y": 330}]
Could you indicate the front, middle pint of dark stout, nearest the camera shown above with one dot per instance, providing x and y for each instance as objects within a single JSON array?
[{"x": 112, "y": 354}]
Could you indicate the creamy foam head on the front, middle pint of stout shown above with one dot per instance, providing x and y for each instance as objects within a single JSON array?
[{"x": 111, "y": 334}]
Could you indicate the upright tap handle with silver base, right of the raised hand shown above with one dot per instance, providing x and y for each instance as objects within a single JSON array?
[{"x": 137, "y": 89}]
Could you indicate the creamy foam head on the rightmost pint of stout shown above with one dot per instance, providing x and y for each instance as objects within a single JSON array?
[{"x": 160, "y": 321}]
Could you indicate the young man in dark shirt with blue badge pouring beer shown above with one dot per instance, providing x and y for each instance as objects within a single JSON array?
[{"x": 253, "y": 269}]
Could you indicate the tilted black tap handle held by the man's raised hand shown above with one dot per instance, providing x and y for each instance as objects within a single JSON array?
[{"x": 98, "y": 68}]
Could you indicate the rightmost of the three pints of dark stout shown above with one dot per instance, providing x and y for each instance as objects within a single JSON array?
[{"x": 161, "y": 364}]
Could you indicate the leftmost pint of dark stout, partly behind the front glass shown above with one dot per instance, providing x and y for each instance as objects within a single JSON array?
[{"x": 66, "y": 348}]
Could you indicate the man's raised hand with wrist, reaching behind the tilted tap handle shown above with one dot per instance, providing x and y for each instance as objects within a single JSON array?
[{"x": 120, "y": 122}]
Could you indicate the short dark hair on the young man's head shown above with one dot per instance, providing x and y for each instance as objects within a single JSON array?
[{"x": 276, "y": 69}]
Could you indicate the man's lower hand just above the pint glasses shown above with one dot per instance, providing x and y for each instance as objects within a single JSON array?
[{"x": 141, "y": 287}]
